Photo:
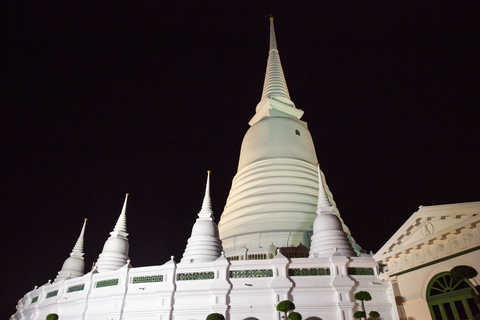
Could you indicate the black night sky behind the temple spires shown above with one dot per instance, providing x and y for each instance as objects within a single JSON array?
[{"x": 101, "y": 100}]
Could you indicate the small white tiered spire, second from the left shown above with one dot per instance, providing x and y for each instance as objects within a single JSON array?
[{"x": 115, "y": 250}]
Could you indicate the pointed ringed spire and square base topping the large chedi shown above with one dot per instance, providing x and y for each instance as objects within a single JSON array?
[{"x": 275, "y": 96}]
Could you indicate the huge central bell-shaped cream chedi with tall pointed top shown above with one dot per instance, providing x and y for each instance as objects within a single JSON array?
[{"x": 273, "y": 198}]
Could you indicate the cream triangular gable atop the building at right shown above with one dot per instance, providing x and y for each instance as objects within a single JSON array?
[{"x": 428, "y": 224}]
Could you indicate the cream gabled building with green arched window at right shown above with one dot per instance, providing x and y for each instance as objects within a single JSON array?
[{"x": 419, "y": 256}]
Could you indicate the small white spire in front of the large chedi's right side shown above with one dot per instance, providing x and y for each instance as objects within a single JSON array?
[{"x": 328, "y": 235}]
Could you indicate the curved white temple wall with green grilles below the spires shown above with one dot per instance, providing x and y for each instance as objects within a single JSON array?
[{"x": 320, "y": 287}]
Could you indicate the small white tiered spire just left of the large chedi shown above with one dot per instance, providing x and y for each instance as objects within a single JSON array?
[{"x": 204, "y": 244}]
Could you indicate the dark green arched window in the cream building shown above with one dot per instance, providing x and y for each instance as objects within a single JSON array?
[{"x": 450, "y": 300}]
